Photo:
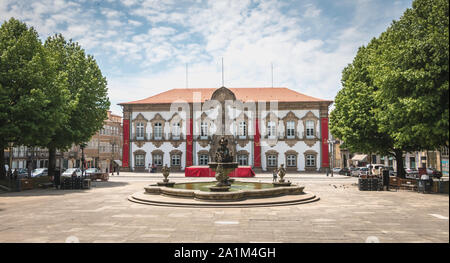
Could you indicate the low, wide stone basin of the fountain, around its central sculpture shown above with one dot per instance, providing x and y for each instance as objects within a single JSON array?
[{"x": 238, "y": 191}]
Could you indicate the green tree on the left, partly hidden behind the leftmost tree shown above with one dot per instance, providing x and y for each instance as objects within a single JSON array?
[{"x": 88, "y": 96}]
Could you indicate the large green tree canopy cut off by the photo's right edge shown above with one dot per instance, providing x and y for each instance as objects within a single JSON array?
[{"x": 411, "y": 68}]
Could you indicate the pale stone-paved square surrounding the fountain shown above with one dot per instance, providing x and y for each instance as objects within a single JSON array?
[{"x": 103, "y": 214}]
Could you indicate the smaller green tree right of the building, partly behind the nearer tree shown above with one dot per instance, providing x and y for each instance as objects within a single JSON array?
[{"x": 353, "y": 119}]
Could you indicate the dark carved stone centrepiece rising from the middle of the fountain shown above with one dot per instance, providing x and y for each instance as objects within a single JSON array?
[{"x": 223, "y": 165}]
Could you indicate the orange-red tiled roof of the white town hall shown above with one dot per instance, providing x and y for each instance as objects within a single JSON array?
[{"x": 243, "y": 94}]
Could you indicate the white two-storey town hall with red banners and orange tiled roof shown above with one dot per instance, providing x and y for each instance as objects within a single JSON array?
[{"x": 265, "y": 127}]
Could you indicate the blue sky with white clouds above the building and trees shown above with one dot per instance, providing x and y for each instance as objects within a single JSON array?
[{"x": 142, "y": 46}]
